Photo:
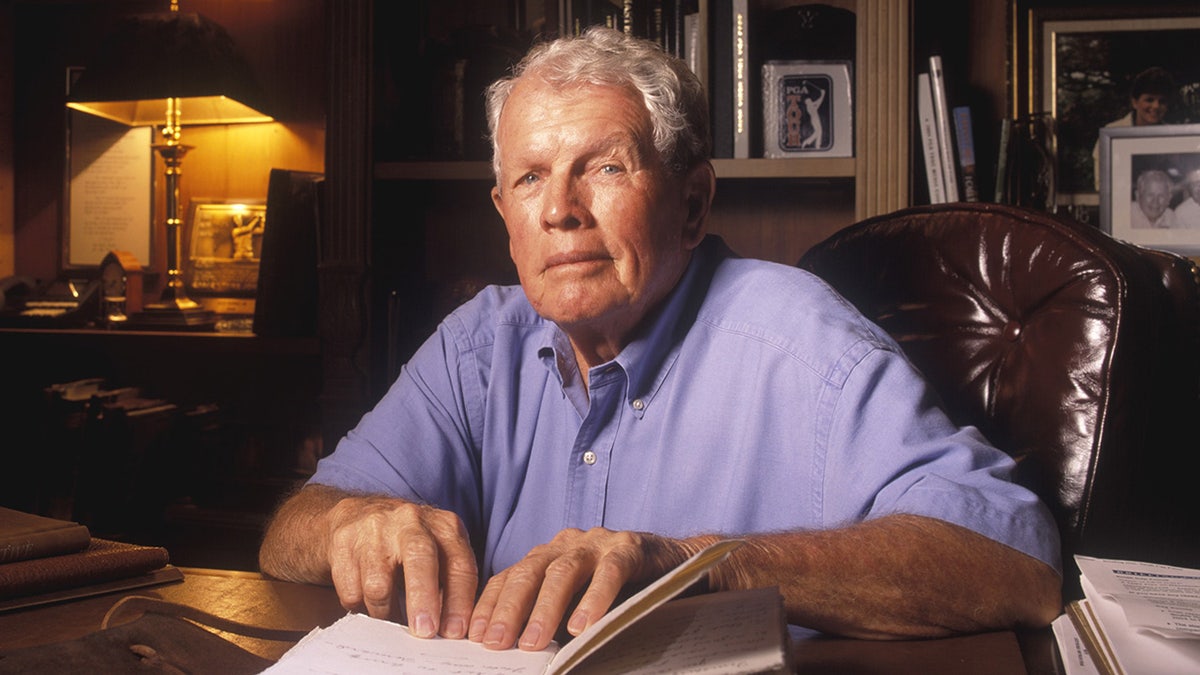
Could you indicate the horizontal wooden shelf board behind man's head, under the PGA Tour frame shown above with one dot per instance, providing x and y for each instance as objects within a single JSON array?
[{"x": 841, "y": 168}]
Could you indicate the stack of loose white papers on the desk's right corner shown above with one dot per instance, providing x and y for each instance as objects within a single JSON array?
[{"x": 1137, "y": 618}]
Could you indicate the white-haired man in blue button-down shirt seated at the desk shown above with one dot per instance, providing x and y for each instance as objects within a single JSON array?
[{"x": 644, "y": 393}]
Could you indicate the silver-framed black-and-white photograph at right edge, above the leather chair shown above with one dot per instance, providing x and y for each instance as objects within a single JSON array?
[{"x": 1150, "y": 186}]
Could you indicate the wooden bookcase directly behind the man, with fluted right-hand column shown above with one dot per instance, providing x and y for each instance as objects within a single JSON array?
[{"x": 413, "y": 223}]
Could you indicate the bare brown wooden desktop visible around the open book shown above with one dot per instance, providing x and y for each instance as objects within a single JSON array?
[{"x": 250, "y": 599}]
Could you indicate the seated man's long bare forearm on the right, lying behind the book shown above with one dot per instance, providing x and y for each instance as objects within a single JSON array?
[{"x": 897, "y": 577}]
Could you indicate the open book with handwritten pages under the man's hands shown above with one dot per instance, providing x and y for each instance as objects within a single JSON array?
[{"x": 729, "y": 632}]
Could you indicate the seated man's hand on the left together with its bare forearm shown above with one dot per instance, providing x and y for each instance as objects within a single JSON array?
[{"x": 367, "y": 546}]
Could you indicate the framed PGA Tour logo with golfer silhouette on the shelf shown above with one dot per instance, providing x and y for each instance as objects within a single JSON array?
[{"x": 808, "y": 110}]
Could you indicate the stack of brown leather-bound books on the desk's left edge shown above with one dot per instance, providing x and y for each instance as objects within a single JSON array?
[{"x": 47, "y": 560}]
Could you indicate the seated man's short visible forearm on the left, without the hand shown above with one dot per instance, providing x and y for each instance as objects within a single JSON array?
[{"x": 296, "y": 545}]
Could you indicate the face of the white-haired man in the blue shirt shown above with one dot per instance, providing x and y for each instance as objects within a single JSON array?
[{"x": 598, "y": 229}]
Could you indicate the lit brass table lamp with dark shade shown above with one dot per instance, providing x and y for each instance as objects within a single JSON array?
[{"x": 169, "y": 70}]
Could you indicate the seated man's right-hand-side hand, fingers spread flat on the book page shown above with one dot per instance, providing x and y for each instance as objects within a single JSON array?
[{"x": 532, "y": 598}]
